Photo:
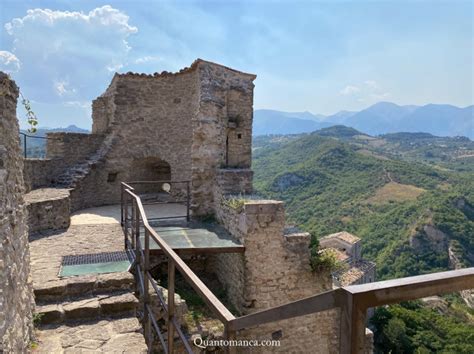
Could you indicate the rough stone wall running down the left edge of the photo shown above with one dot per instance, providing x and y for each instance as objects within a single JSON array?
[{"x": 16, "y": 296}]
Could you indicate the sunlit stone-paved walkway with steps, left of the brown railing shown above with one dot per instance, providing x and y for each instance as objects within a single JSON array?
[{"x": 92, "y": 313}]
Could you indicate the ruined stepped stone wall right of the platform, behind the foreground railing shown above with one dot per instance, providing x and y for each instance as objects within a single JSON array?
[{"x": 274, "y": 270}]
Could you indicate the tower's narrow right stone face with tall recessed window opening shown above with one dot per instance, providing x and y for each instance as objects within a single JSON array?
[{"x": 222, "y": 129}]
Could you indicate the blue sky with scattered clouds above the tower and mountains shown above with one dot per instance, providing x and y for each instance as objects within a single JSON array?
[{"x": 312, "y": 56}]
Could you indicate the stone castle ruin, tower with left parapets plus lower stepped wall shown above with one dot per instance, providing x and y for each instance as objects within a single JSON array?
[{"x": 192, "y": 125}]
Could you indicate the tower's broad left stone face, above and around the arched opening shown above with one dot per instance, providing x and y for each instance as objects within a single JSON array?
[{"x": 149, "y": 119}]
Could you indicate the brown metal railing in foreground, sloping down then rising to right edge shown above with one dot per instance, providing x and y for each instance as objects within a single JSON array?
[{"x": 354, "y": 300}]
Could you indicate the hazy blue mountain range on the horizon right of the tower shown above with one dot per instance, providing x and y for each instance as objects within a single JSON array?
[{"x": 380, "y": 118}]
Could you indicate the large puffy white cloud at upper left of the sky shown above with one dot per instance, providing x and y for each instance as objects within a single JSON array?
[{"x": 82, "y": 47}]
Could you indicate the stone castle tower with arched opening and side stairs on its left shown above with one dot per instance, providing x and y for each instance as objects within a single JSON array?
[{"x": 184, "y": 126}]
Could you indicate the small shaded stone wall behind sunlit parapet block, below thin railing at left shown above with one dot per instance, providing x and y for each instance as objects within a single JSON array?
[{"x": 39, "y": 172}]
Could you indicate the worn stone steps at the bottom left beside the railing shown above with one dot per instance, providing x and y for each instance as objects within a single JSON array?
[{"x": 89, "y": 313}]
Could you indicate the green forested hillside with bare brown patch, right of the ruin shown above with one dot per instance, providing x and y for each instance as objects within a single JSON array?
[{"x": 411, "y": 212}]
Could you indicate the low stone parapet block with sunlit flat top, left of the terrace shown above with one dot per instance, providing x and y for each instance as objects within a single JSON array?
[{"x": 48, "y": 209}]
